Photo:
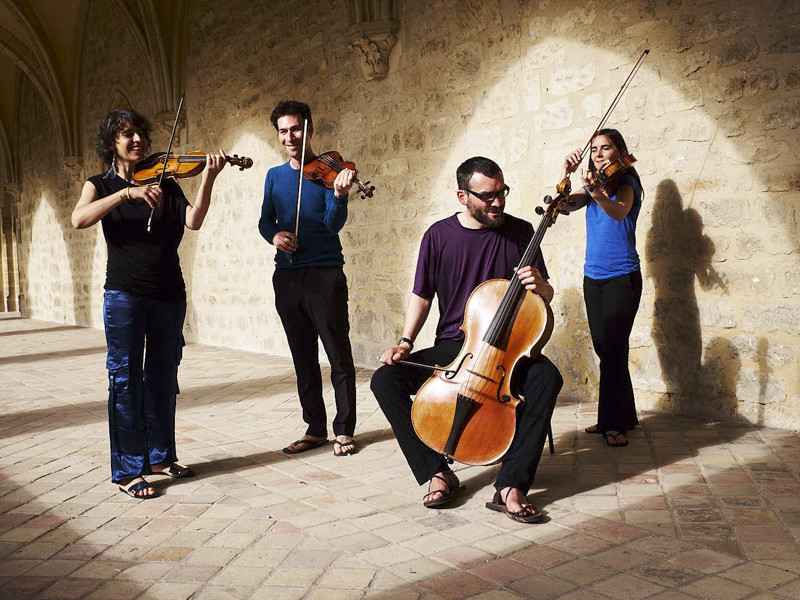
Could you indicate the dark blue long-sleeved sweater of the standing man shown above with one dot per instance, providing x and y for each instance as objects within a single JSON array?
[{"x": 322, "y": 216}]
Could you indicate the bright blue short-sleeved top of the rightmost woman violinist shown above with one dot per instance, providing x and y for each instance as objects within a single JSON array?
[{"x": 611, "y": 244}]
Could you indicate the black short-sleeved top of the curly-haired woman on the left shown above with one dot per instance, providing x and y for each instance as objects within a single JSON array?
[{"x": 141, "y": 262}]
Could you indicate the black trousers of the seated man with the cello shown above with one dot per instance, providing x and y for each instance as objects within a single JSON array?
[{"x": 538, "y": 381}]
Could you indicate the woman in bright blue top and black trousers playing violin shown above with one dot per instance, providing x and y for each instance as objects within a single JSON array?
[{"x": 612, "y": 283}]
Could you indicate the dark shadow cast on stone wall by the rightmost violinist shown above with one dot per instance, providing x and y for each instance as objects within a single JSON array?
[{"x": 676, "y": 254}]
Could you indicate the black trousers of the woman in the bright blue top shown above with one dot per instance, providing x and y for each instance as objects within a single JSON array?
[{"x": 611, "y": 306}]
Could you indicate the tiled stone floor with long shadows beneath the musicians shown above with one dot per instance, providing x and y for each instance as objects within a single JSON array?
[{"x": 691, "y": 509}]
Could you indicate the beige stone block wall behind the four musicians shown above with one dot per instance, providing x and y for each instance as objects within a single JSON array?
[{"x": 712, "y": 117}]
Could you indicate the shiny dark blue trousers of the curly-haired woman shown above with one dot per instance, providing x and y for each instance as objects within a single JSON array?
[{"x": 142, "y": 385}]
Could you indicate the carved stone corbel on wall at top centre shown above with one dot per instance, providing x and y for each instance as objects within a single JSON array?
[{"x": 373, "y": 34}]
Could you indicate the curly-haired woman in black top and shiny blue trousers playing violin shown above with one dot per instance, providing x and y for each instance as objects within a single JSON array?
[{"x": 145, "y": 298}]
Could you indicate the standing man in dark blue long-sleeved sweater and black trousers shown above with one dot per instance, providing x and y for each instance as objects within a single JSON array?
[{"x": 310, "y": 285}]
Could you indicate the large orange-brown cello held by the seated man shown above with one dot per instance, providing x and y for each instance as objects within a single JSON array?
[{"x": 467, "y": 410}]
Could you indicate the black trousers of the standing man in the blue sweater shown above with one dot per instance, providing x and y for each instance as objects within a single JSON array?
[{"x": 312, "y": 304}]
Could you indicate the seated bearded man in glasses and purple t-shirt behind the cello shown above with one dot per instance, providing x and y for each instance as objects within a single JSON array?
[{"x": 458, "y": 254}]
